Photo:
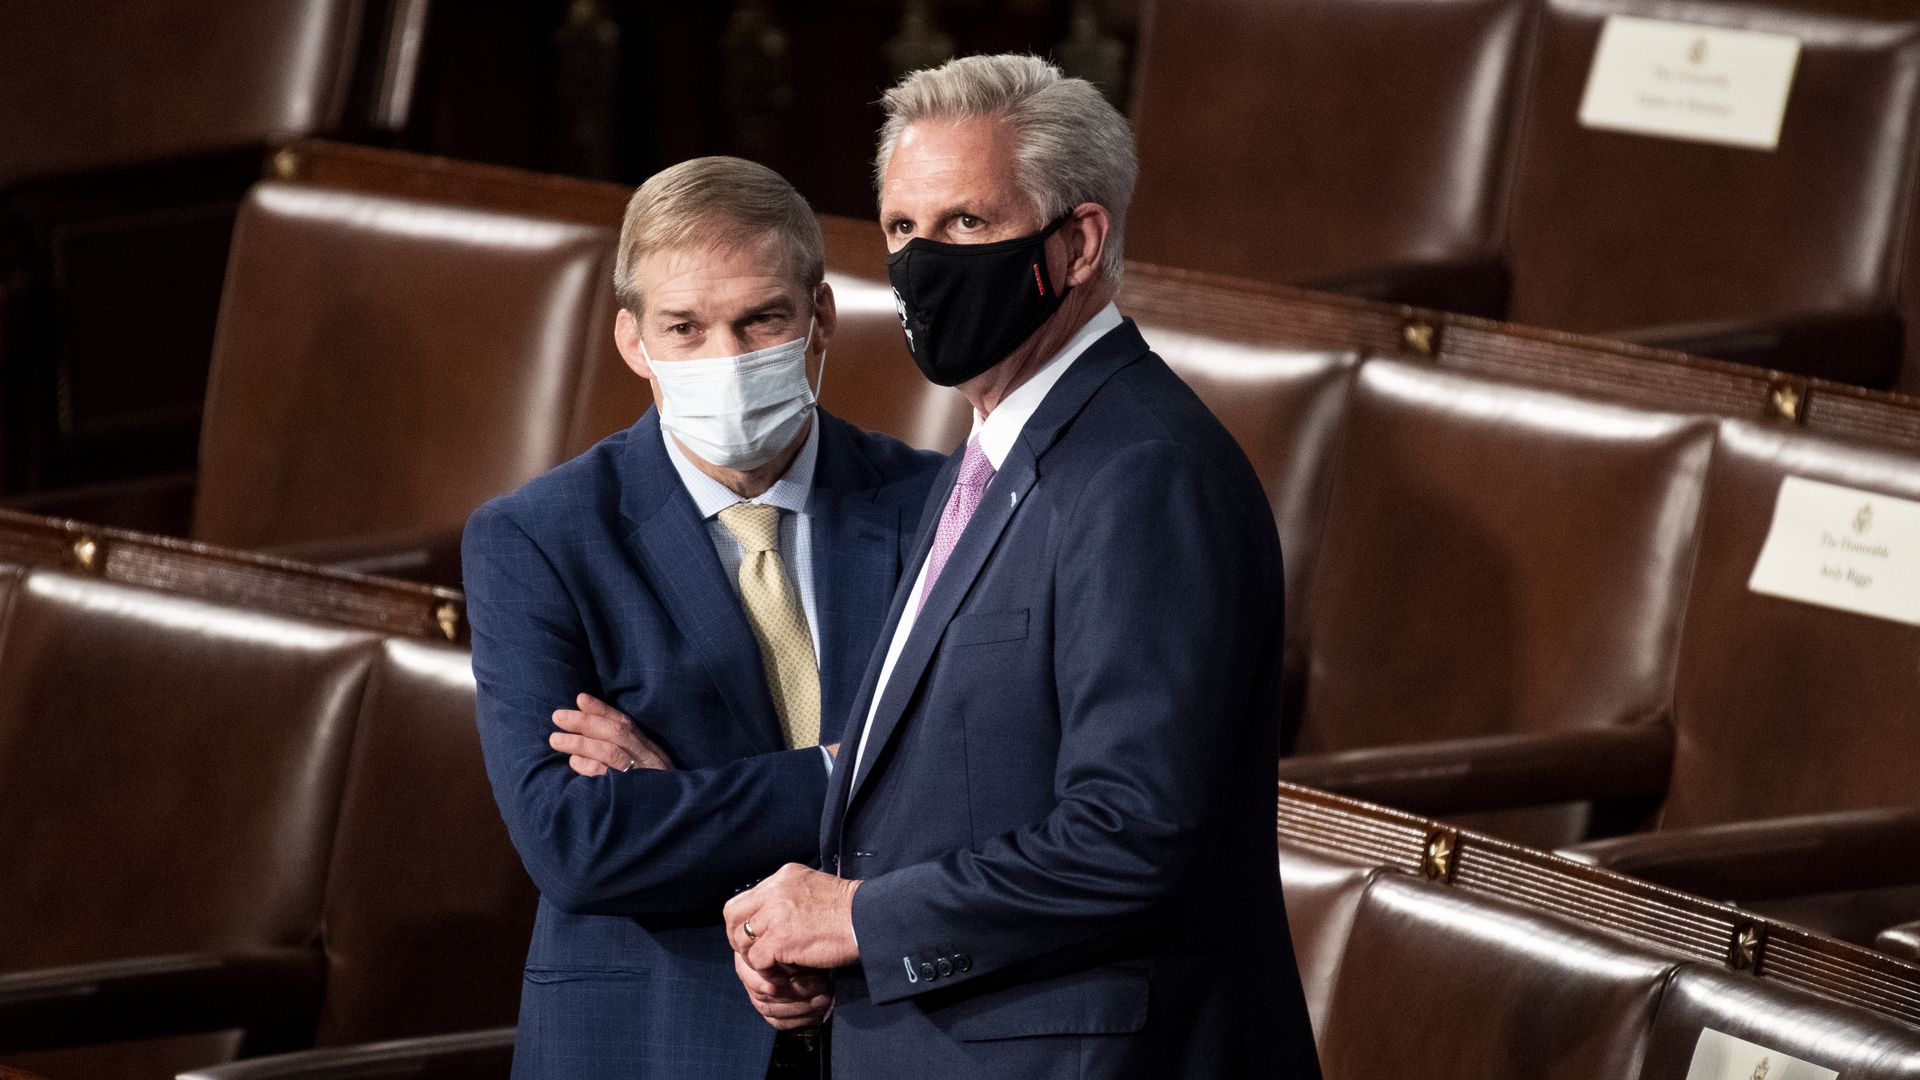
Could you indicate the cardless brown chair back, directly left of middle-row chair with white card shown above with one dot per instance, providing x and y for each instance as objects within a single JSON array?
[{"x": 1500, "y": 566}]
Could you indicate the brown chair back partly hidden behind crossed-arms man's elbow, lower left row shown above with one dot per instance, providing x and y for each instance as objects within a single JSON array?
[{"x": 427, "y": 906}]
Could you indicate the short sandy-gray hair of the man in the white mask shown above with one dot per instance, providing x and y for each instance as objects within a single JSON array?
[{"x": 717, "y": 203}]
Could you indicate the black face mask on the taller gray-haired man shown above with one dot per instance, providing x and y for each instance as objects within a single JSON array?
[{"x": 967, "y": 307}]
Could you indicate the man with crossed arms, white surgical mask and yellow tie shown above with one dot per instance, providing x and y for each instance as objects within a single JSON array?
[{"x": 671, "y": 629}]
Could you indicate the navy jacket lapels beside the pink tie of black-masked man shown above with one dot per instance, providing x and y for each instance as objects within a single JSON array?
[{"x": 997, "y": 508}]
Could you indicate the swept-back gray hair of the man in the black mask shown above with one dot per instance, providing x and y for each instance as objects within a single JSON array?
[{"x": 1074, "y": 145}]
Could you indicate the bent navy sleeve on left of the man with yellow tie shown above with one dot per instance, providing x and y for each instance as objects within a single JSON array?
[{"x": 627, "y": 843}]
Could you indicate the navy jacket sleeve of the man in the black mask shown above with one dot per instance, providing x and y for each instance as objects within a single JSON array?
[{"x": 1168, "y": 599}]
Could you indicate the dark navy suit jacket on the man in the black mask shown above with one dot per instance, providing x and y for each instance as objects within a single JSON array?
[{"x": 1065, "y": 812}]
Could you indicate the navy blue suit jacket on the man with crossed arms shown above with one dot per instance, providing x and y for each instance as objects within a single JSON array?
[{"x": 600, "y": 577}]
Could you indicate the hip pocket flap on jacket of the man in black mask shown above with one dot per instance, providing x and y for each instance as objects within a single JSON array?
[{"x": 1099, "y": 1002}]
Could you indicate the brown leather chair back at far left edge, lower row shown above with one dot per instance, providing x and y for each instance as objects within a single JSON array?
[{"x": 172, "y": 770}]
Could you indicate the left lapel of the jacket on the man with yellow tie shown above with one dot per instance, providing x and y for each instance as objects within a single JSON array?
[{"x": 679, "y": 558}]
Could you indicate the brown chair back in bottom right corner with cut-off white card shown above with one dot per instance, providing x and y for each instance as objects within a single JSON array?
[{"x": 1829, "y": 1035}]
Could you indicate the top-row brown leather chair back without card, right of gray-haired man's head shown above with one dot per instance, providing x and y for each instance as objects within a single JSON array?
[{"x": 1353, "y": 145}]
